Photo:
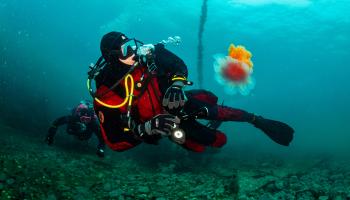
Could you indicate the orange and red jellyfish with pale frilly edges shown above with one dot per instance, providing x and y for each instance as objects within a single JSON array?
[{"x": 234, "y": 71}]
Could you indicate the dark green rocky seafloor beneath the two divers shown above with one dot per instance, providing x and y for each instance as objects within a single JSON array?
[{"x": 32, "y": 170}]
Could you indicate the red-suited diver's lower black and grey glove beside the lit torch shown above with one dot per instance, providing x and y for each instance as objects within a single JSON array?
[{"x": 160, "y": 124}]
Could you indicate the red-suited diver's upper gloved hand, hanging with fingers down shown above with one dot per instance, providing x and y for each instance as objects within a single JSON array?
[{"x": 174, "y": 96}]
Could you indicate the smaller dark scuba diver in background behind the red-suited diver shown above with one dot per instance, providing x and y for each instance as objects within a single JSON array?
[{"x": 81, "y": 123}]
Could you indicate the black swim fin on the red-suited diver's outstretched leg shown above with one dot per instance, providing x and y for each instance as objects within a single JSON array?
[{"x": 279, "y": 132}]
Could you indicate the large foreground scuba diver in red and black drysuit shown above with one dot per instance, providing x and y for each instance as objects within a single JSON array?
[{"x": 140, "y": 97}]
